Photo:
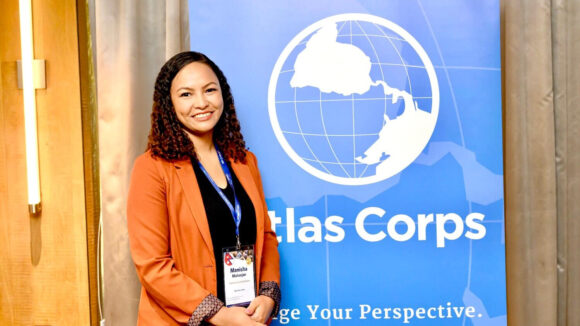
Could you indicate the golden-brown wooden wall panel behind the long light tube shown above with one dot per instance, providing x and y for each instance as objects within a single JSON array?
[{"x": 55, "y": 291}]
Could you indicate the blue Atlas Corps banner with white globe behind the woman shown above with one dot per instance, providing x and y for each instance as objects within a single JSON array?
[{"x": 377, "y": 126}]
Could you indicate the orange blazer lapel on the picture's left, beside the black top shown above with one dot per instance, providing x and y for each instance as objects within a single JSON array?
[{"x": 188, "y": 181}]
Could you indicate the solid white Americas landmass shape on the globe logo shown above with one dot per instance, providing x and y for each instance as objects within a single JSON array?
[{"x": 344, "y": 69}]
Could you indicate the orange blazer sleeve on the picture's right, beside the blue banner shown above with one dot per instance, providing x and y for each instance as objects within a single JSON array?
[{"x": 270, "y": 265}]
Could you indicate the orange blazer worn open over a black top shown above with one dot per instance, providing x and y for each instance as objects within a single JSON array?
[{"x": 170, "y": 240}]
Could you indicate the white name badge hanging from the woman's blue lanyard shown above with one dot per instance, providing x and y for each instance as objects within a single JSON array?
[{"x": 239, "y": 277}]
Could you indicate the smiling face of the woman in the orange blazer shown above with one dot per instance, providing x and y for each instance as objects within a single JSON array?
[{"x": 197, "y": 98}]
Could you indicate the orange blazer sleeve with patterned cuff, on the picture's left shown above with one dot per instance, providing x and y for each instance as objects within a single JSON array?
[{"x": 178, "y": 295}]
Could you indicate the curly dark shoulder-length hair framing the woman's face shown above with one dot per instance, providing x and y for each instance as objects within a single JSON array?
[{"x": 167, "y": 139}]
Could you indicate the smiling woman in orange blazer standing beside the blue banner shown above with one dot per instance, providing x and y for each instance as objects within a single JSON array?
[{"x": 196, "y": 197}]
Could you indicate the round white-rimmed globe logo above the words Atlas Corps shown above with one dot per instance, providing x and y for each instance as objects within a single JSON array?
[{"x": 353, "y": 99}]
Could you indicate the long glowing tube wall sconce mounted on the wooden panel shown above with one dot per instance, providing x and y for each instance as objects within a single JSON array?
[{"x": 28, "y": 79}]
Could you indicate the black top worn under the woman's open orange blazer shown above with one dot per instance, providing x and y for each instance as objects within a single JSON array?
[{"x": 221, "y": 222}]
